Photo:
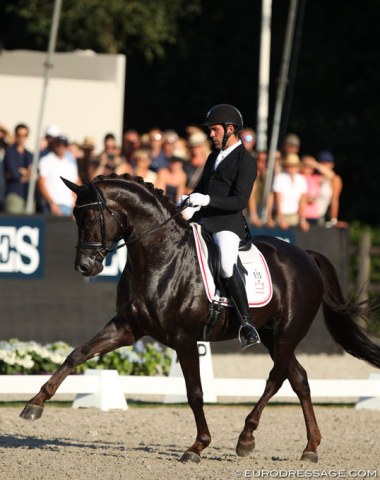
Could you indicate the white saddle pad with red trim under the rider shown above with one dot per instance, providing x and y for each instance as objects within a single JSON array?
[{"x": 258, "y": 281}]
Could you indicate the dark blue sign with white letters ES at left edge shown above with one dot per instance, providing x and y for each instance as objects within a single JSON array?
[{"x": 22, "y": 247}]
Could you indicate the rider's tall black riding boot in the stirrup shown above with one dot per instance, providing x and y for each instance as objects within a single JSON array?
[{"x": 248, "y": 335}]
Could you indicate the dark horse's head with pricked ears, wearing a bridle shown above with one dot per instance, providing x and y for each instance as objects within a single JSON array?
[{"x": 98, "y": 227}]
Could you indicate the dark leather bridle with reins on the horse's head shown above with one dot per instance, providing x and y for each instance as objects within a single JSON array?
[{"x": 104, "y": 247}]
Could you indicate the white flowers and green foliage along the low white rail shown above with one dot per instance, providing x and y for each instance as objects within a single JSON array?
[{"x": 17, "y": 357}]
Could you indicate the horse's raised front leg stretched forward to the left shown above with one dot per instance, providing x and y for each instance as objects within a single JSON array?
[{"x": 115, "y": 334}]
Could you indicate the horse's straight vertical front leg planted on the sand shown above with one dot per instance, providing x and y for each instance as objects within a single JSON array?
[{"x": 189, "y": 361}]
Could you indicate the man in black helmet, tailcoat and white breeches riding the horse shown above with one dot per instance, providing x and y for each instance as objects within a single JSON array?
[{"x": 222, "y": 194}]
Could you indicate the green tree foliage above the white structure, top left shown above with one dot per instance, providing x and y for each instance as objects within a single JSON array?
[{"x": 105, "y": 26}]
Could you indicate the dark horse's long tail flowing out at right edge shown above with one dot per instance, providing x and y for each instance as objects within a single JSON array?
[{"x": 339, "y": 315}]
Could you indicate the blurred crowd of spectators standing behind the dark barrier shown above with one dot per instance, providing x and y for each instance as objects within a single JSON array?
[{"x": 305, "y": 189}]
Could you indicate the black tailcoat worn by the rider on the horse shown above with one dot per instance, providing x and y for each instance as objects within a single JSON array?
[{"x": 229, "y": 187}]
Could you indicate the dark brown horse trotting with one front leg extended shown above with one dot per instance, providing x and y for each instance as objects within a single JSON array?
[{"x": 161, "y": 294}]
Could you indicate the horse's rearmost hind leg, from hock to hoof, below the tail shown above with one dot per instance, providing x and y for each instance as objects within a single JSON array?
[{"x": 298, "y": 380}]
